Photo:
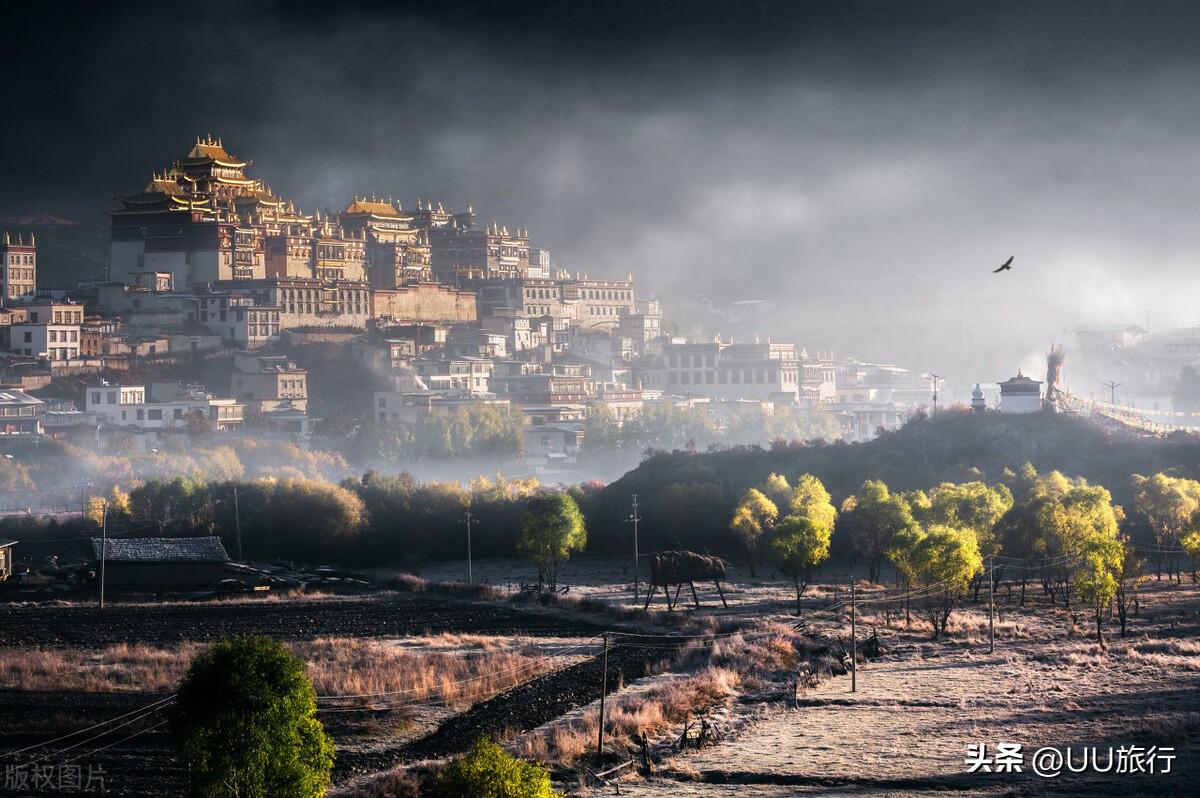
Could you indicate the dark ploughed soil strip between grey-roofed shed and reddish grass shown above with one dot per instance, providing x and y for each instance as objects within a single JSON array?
[{"x": 82, "y": 627}]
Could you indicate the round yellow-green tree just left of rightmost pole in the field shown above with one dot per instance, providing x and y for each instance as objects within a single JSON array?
[{"x": 944, "y": 561}]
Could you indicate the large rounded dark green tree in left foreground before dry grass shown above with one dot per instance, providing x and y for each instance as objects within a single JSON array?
[{"x": 247, "y": 713}]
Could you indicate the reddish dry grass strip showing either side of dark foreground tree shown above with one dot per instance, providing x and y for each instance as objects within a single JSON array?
[{"x": 454, "y": 668}]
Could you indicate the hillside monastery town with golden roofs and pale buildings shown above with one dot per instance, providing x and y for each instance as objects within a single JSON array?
[{"x": 215, "y": 284}]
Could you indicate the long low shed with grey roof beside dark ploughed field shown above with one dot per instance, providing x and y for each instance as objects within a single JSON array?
[{"x": 163, "y": 563}]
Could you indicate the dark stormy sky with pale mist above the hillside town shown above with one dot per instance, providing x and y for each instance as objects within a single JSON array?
[{"x": 863, "y": 165}]
